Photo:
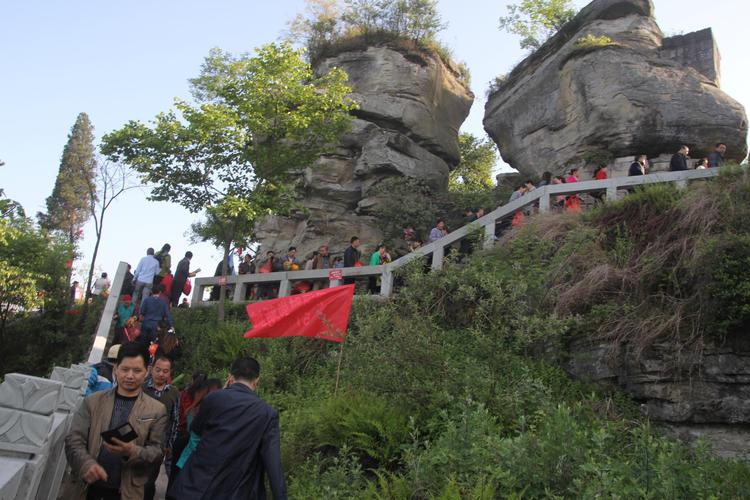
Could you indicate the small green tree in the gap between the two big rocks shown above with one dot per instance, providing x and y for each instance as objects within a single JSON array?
[{"x": 474, "y": 172}]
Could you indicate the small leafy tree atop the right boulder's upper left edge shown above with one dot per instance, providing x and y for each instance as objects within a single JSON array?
[{"x": 536, "y": 20}]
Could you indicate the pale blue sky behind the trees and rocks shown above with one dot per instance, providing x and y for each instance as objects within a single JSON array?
[{"x": 121, "y": 61}]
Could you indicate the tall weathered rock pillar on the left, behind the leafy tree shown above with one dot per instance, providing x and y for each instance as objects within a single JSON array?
[{"x": 411, "y": 106}]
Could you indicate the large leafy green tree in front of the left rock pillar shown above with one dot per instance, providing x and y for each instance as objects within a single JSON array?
[{"x": 256, "y": 121}]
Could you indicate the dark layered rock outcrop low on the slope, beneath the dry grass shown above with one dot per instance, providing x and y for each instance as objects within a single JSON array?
[{"x": 694, "y": 392}]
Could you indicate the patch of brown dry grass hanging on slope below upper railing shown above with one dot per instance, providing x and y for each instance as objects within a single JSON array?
[{"x": 644, "y": 260}]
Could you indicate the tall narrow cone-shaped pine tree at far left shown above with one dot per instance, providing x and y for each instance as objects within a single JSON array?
[{"x": 68, "y": 208}]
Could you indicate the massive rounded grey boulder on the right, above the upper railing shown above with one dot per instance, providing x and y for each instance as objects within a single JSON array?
[{"x": 637, "y": 93}]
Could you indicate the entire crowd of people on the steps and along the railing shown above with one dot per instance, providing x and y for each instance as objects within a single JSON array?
[{"x": 219, "y": 440}]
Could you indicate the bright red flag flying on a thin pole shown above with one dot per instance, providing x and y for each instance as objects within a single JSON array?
[{"x": 322, "y": 314}]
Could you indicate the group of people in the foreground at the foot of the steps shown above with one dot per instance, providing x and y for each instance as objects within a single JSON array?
[{"x": 215, "y": 439}]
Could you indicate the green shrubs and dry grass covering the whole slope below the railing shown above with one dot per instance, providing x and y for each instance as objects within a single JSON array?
[{"x": 441, "y": 395}]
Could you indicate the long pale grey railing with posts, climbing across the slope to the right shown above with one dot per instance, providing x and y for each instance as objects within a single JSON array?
[{"x": 437, "y": 249}]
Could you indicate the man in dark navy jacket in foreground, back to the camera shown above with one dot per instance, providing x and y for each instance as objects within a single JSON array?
[{"x": 239, "y": 443}]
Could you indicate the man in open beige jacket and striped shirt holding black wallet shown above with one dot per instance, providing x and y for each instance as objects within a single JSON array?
[{"x": 117, "y": 470}]
